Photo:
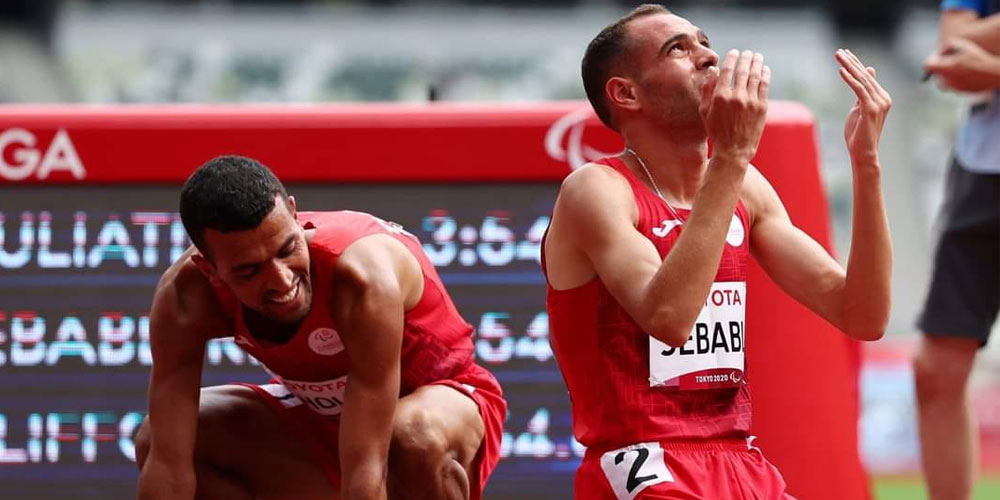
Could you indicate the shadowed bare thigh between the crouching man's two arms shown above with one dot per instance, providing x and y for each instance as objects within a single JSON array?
[{"x": 238, "y": 434}]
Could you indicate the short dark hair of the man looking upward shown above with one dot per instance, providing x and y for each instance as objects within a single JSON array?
[{"x": 603, "y": 57}]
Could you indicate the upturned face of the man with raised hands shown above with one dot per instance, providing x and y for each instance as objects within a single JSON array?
[{"x": 672, "y": 61}]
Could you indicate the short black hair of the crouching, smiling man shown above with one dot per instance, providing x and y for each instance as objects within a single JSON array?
[{"x": 228, "y": 193}]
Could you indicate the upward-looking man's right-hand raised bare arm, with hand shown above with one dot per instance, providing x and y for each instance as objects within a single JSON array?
[{"x": 856, "y": 301}]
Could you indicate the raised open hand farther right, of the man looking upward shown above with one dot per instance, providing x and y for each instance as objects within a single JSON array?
[{"x": 867, "y": 118}]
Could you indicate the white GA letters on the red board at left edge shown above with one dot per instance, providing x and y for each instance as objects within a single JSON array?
[{"x": 27, "y": 159}]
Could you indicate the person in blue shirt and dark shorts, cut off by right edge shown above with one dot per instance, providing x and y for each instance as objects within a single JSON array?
[{"x": 964, "y": 296}]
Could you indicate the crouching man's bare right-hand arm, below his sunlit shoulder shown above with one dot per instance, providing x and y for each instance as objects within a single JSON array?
[{"x": 376, "y": 280}]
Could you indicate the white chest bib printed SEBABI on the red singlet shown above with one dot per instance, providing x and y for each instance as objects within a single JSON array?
[{"x": 713, "y": 355}]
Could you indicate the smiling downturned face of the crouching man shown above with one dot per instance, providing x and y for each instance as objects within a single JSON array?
[{"x": 267, "y": 267}]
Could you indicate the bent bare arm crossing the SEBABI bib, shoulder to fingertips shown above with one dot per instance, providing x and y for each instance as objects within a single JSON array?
[{"x": 593, "y": 226}]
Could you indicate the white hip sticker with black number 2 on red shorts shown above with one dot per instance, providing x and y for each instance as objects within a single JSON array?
[{"x": 631, "y": 469}]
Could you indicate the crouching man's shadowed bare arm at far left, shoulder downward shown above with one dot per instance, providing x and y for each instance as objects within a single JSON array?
[{"x": 184, "y": 316}]
